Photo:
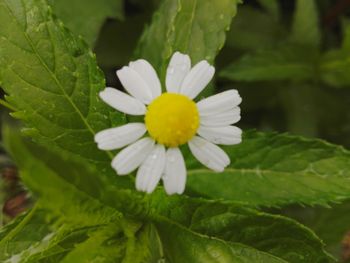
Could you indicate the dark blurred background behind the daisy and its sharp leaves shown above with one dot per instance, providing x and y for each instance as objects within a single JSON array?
[{"x": 292, "y": 78}]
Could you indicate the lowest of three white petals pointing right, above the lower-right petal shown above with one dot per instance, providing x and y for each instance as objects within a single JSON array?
[{"x": 227, "y": 135}]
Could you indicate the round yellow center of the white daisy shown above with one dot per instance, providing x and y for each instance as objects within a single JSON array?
[{"x": 172, "y": 119}]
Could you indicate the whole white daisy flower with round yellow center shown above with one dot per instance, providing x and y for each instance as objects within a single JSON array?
[{"x": 171, "y": 119}]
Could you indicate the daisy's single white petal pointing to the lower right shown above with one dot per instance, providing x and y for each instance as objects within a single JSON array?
[{"x": 209, "y": 154}]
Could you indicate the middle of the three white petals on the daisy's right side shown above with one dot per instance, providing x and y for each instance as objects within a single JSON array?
[{"x": 222, "y": 119}]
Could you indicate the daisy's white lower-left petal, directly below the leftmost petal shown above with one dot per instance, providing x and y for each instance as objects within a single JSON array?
[{"x": 128, "y": 159}]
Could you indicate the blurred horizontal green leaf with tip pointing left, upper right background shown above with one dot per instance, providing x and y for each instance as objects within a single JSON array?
[{"x": 266, "y": 65}]
